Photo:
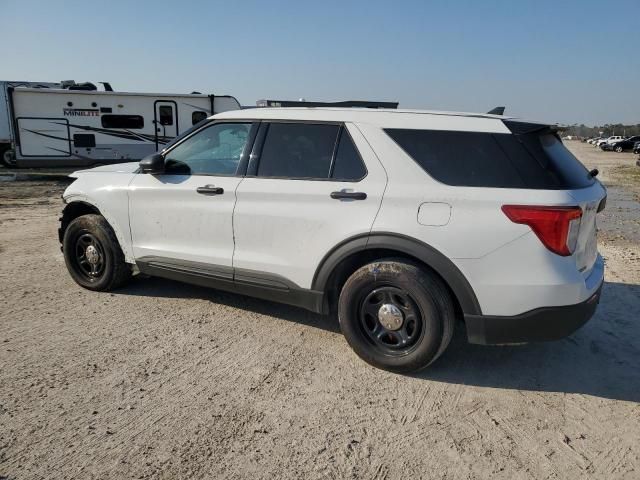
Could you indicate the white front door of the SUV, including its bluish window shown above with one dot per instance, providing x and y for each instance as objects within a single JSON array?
[{"x": 184, "y": 215}]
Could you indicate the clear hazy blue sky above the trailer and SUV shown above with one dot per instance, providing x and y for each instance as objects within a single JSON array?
[{"x": 557, "y": 61}]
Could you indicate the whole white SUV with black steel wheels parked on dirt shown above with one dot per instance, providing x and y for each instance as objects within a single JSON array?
[{"x": 400, "y": 221}]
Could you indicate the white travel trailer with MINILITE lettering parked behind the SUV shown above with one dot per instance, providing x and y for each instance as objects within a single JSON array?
[{"x": 62, "y": 127}]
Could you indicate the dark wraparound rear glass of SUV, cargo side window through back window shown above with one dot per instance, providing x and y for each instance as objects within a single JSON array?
[{"x": 534, "y": 159}]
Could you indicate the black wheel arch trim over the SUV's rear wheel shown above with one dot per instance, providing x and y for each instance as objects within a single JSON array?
[{"x": 428, "y": 255}]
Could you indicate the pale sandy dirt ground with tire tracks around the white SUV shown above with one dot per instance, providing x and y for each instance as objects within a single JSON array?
[{"x": 164, "y": 380}]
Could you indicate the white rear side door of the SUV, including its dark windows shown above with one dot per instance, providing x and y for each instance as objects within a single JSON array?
[{"x": 309, "y": 187}]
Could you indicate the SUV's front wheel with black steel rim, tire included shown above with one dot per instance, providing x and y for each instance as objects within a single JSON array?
[{"x": 93, "y": 255}]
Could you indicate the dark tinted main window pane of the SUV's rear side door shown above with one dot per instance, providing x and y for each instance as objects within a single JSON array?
[{"x": 297, "y": 150}]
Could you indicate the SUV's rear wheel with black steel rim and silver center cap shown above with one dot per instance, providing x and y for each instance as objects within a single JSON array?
[{"x": 420, "y": 303}]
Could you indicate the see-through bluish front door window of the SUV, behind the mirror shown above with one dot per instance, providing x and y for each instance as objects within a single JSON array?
[{"x": 215, "y": 150}]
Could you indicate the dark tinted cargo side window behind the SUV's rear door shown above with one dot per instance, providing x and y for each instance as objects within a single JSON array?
[{"x": 471, "y": 159}]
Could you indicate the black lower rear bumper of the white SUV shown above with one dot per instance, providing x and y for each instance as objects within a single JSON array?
[{"x": 541, "y": 324}]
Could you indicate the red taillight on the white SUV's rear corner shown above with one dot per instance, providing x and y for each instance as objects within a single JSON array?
[{"x": 556, "y": 227}]
